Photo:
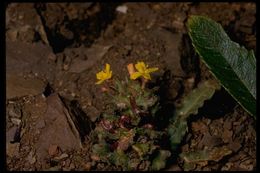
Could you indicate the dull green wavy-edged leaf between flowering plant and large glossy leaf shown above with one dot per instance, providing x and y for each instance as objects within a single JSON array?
[{"x": 190, "y": 105}]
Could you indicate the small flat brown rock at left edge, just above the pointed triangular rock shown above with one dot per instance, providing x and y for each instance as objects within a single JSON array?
[{"x": 17, "y": 86}]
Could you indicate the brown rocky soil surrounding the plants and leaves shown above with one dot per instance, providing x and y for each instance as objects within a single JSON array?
[{"x": 55, "y": 50}]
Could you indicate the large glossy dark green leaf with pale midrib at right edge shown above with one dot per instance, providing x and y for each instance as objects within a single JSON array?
[{"x": 232, "y": 65}]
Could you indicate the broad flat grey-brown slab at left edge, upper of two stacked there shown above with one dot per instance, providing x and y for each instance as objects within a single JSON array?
[{"x": 24, "y": 58}]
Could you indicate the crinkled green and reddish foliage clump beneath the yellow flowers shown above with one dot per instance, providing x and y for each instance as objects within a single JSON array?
[{"x": 127, "y": 138}]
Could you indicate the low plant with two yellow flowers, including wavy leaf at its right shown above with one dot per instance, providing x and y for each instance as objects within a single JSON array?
[{"x": 127, "y": 137}]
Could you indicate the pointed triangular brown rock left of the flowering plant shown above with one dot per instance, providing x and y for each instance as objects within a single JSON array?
[{"x": 59, "y": 129}]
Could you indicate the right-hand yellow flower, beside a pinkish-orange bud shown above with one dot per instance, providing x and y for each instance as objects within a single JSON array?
[{"x": 142, "y": 70}]
